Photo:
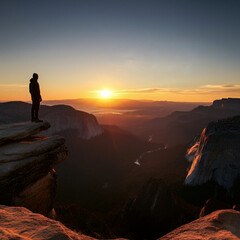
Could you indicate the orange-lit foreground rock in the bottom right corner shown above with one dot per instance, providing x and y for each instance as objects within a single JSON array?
[{"x": 220, "y": 225}]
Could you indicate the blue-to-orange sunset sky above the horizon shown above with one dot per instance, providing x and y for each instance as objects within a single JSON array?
[{"x": 175, "y": 50}]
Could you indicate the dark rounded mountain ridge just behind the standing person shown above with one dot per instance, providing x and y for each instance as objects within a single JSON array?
[{"x": 61, "y": 118}]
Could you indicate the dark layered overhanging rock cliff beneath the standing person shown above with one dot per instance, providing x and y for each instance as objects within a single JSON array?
[{"x": 27, "y": 177}]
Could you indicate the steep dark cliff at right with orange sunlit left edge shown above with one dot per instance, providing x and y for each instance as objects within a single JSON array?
[{"x": 217, "y": 157}]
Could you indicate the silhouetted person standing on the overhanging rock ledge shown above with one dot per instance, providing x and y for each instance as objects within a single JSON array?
[{"x": 36, "y": 97}]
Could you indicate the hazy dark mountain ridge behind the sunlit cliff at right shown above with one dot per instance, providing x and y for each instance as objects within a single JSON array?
[{"x": 183, "y": 126}]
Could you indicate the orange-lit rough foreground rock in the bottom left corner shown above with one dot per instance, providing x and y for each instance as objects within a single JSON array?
[{"x": 20, "y": 223}]
